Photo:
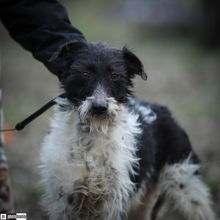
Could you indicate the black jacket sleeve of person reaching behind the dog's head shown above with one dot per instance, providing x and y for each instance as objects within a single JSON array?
[{"x": 40, "y": 26}]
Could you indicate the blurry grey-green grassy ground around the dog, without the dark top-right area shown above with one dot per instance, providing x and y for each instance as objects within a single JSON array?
[{"x": 181, "y": 75}]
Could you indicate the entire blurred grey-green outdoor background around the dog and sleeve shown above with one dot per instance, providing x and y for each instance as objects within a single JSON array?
[{"x": 178, "y": 42}]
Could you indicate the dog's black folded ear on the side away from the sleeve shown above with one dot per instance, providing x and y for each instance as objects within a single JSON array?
[{"x": 133, "y": 64}]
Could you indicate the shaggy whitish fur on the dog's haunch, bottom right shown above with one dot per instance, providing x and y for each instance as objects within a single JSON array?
[{"x": 186, "y": 195}]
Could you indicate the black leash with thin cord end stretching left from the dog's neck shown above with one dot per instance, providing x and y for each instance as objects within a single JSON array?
[{"x": 35, "y": 115}]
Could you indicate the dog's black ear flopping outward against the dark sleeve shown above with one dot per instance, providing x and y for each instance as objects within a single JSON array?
[{"x": 68, "y": 48}]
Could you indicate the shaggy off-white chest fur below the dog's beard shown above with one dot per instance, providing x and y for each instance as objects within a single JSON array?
[{"x": 91, "y": 168}]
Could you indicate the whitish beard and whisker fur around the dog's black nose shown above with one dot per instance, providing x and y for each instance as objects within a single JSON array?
[{"x": 98, "y": 123}]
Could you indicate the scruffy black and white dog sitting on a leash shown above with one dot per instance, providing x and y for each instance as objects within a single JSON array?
[{"x": 110, "y": 156}]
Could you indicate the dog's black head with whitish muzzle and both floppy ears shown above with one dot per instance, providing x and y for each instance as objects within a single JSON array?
[{"x": 98, "y": 79}]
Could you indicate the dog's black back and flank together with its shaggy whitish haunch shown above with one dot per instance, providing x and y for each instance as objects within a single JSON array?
[{"x": 169, "y": 167}]
